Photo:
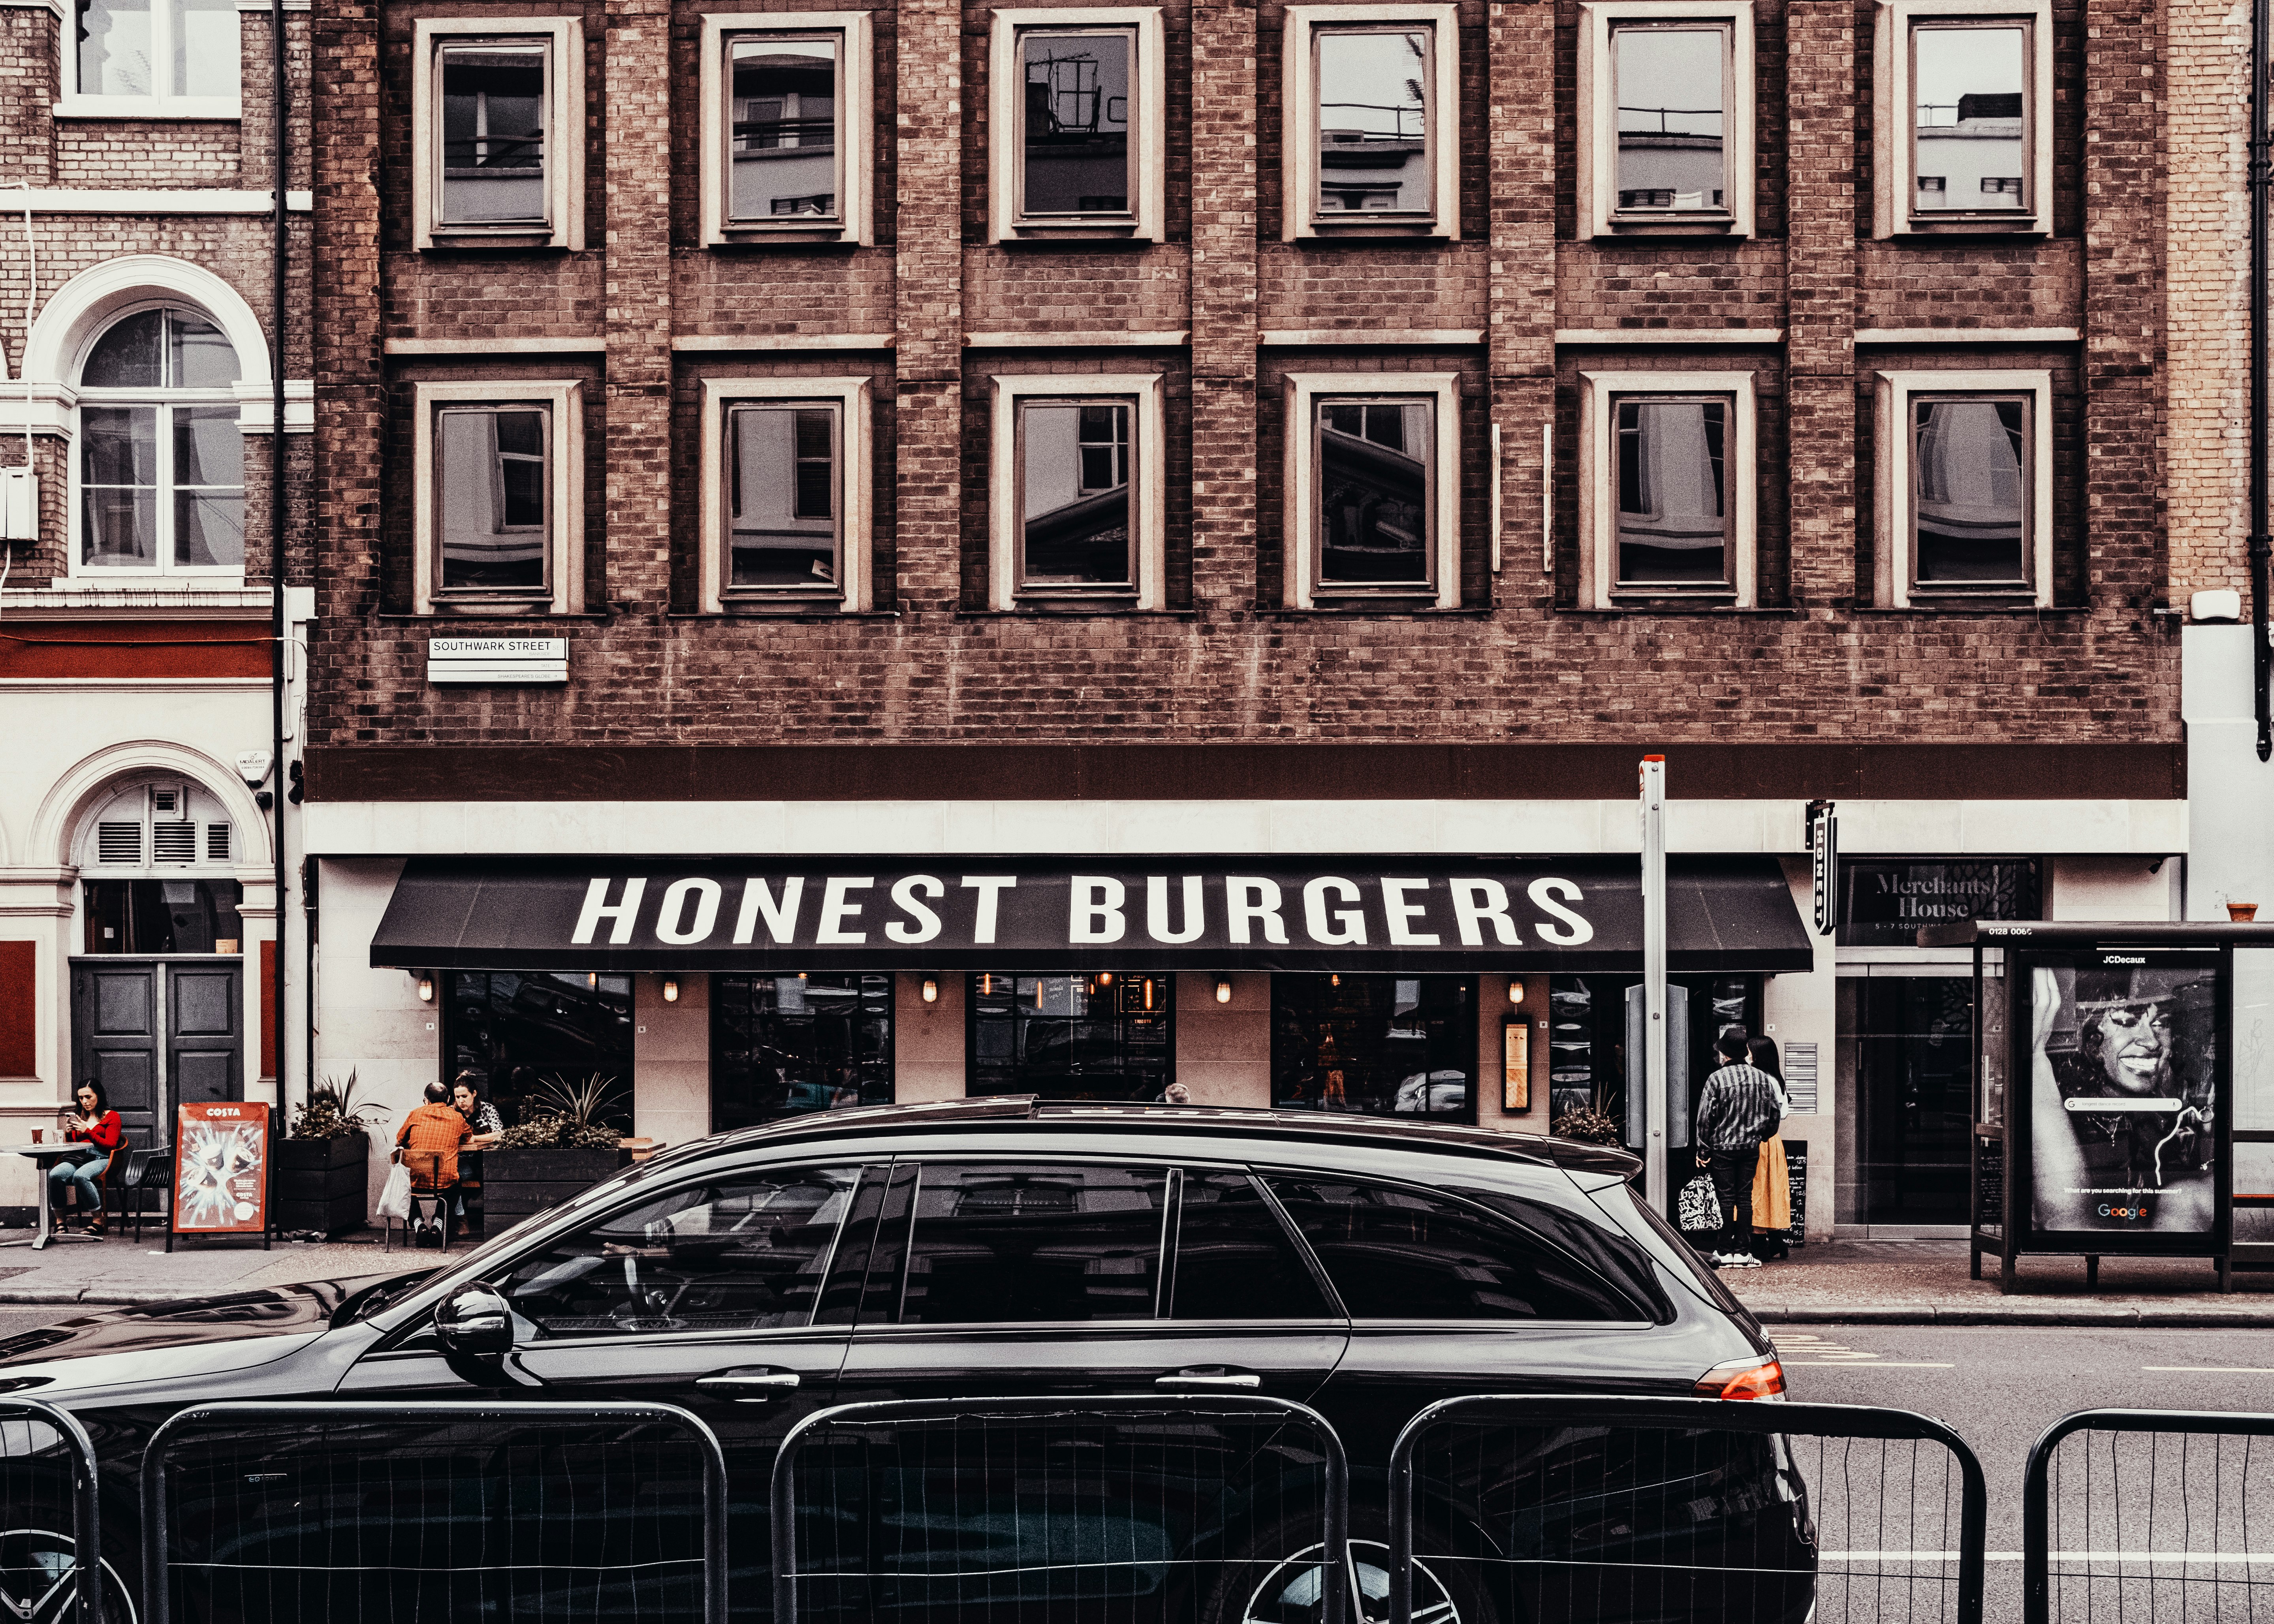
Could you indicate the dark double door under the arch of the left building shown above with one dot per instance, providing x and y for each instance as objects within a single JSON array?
[{"x": 158, "y": 1031}]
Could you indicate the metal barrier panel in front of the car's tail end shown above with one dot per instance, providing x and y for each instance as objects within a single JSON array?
[{"x": 1568, "y": 1507}]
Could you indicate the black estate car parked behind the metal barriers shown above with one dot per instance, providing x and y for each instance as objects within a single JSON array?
[{"x": 993, "y": 1250}]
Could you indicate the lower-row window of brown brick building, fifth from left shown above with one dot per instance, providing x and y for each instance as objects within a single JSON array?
[{"x": 1668, "y": 488}]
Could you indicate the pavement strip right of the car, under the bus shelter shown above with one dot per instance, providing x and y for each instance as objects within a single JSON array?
[{"x": 1925, "y": 1284}]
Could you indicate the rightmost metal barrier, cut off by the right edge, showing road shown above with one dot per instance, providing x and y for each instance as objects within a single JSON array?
[{"x": 2150, "y": 1514}]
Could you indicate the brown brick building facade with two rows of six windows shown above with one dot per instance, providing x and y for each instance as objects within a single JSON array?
[{"x": 1561, "y": 338}]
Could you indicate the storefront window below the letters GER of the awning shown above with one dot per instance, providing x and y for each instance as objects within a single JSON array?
[{"x": 1375, "y": 1045}]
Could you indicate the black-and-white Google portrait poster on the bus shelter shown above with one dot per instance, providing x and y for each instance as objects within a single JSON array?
[{"x": 2125, "y": 1059}]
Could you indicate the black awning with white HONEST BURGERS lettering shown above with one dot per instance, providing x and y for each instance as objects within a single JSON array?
[{"x": 1079, "y": 915}]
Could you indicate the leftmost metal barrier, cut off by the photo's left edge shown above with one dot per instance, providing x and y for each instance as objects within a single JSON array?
[{"x": 49, "y": 1484}]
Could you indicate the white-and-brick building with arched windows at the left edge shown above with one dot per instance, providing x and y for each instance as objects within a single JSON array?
[{"x": 140, "y": 340}]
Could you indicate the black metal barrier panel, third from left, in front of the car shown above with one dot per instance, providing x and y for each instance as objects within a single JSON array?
[{"x": 1061, "y": 1511}]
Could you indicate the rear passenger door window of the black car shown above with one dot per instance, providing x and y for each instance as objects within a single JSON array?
[{"x": 1027, "y": 1243}]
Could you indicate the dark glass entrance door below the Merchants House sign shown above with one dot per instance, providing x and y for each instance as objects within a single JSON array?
[{"x": 1904, "y": 1045}]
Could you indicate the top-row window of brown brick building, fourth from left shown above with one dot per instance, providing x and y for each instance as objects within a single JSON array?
[{"x": 1372, "y": 122}]
